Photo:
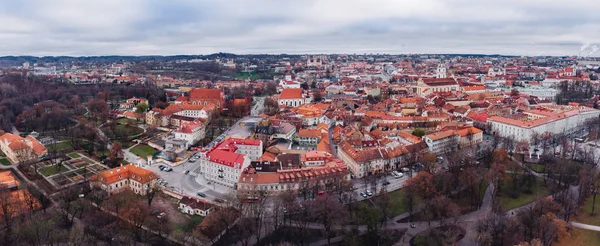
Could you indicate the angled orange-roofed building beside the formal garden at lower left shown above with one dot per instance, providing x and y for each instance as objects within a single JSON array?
[{"x": 126, "y": 177}]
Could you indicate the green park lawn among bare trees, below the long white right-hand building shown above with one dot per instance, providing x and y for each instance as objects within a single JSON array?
[{"x": 507, "y": 202}]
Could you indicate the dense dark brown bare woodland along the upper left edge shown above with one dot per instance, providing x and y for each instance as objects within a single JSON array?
[{"x": 42, "y": 103}]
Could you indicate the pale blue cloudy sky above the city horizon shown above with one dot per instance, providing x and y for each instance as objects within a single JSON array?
[{"x": 168, "y": 27}]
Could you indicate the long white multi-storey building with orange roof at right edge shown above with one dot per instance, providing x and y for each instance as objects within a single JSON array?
[{"x": 555, "y": 122}]
